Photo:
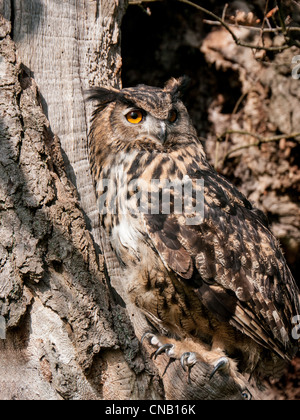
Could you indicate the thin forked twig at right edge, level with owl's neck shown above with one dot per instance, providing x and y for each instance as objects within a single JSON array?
[{"x": 261, "y": 140}]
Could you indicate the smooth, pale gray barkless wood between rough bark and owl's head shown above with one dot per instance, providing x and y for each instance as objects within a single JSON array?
[{"x": 70, "y": 46}]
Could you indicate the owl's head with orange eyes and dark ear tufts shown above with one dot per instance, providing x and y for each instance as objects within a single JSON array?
[{"x": 143, "y": 116}]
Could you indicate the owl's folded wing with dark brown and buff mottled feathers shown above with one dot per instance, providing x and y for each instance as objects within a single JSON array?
[{"x": 234, "y": 264}]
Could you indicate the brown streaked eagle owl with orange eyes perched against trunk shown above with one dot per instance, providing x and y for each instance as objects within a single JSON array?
[{"x": 216, "y": 288}]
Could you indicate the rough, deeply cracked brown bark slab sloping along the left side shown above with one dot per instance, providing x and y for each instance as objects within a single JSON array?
[{"x": 51, "y": 284}]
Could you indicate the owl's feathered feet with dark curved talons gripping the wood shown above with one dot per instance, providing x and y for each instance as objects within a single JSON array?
[{"x": 190, "y": 352}]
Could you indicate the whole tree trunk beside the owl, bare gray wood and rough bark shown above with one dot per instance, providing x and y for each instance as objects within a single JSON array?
[{"x": 71, "y": 332}]
